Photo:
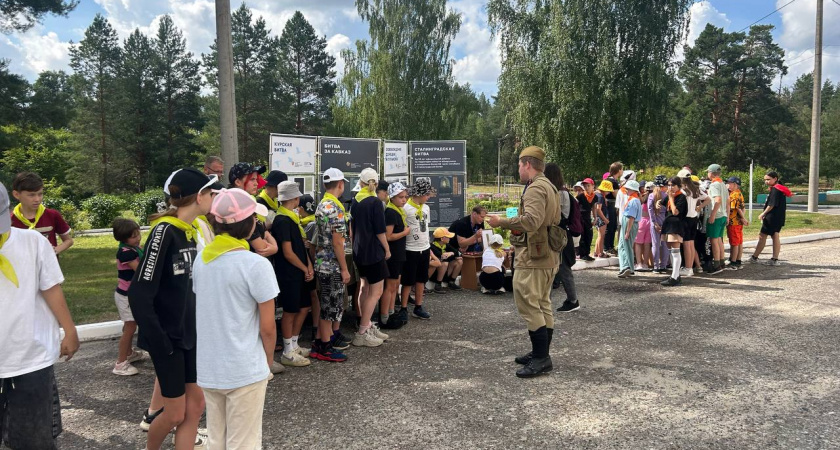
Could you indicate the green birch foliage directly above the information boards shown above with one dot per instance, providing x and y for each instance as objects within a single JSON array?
[{"x": 397, "y": 84}]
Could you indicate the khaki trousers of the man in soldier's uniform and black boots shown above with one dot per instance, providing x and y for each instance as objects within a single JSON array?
[{"x": 532, "y": 294}]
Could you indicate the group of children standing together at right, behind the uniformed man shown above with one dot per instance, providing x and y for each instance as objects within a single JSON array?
[{"x": 674, "y": 226}]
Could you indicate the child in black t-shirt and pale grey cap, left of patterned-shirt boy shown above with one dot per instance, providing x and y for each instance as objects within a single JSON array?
[{"x": 294, "y": 270}]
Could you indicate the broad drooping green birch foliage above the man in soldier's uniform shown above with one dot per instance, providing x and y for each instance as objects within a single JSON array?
[{"x": 588, "y": 80}]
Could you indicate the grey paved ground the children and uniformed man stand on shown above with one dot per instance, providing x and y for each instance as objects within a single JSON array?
[{"x": 744, "y": 360}]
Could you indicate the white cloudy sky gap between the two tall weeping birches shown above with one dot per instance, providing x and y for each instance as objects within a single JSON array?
[{"x": 480, "y": 61}]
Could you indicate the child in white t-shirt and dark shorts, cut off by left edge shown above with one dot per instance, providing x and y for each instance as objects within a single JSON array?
[{"x": 33, "y": 307}]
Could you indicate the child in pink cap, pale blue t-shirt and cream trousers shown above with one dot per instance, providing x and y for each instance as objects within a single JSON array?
[{"x": 234, "y": 295}]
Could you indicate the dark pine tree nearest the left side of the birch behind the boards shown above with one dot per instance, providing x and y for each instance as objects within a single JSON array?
[{"x": 307, "y": 72}]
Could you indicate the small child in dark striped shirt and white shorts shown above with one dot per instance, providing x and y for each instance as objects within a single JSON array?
[{"x": 127, "y": 232}]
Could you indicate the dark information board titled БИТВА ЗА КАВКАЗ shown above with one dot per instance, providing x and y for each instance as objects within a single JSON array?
[{"x": 348, "y": 155}]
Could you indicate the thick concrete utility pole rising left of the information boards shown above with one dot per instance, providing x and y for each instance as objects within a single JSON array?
[{"x": 227, "y": 96}]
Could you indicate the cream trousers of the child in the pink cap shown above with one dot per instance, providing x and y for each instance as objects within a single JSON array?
[{"x": 234, "y": 417}]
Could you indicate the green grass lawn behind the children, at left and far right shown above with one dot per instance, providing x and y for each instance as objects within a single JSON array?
[{"x": 90, "y": 268}]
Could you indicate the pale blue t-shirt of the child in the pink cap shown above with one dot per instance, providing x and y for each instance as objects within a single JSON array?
[{"x": 228, "y": 291}]
